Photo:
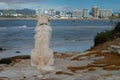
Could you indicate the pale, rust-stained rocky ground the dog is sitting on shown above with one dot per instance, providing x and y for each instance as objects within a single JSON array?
[{"x": 89, "y": 65}]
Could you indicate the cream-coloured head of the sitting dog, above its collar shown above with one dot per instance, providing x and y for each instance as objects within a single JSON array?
[{"x": 43, "y": 19}]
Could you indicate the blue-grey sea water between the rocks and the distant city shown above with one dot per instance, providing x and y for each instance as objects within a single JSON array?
[{"x": 67, "y": 35}]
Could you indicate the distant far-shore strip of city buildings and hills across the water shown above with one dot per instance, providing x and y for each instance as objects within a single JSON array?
[{"x": 93, "y": 13}]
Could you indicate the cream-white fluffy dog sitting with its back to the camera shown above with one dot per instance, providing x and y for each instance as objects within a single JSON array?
[{"x": 42, "y": 55}]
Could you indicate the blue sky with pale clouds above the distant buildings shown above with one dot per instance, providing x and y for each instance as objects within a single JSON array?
[{"x": 61, "y": 4}]
